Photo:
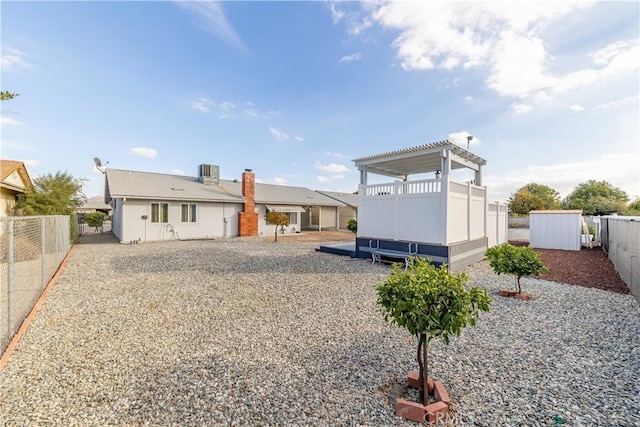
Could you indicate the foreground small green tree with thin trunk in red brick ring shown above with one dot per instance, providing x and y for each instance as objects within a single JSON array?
[{"x": 429, "y": 302}]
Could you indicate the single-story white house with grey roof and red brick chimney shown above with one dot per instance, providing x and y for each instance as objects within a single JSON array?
[{"x": 153, "y": 206}]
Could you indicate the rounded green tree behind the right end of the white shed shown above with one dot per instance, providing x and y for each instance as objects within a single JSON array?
[{"x": 597, "y": 198}]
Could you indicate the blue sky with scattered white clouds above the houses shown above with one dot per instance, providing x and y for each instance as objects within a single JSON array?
[{"x": 296, "y": 90}]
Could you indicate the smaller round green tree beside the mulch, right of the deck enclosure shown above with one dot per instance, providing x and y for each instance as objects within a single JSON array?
[{"x": 520, "y": 261}]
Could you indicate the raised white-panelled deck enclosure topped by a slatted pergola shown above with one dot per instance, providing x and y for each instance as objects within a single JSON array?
[{"x": 449, "y": 221}]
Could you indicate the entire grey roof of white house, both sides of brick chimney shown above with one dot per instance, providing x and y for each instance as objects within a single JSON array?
[{"x": 146, "y": 185}]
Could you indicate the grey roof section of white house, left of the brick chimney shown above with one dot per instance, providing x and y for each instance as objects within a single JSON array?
[{"x": 146, "y": 185}]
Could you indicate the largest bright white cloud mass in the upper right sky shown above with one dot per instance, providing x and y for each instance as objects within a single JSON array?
[{"x": 506, "y": 38}]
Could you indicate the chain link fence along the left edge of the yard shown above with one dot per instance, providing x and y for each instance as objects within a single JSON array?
[{"x": 31, "y": 250}]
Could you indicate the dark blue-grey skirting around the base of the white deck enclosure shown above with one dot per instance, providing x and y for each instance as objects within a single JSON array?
[{"x": 457, "y": 256}]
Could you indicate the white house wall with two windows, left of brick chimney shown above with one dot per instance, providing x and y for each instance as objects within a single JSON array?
[{"x": 210, "y": 221}]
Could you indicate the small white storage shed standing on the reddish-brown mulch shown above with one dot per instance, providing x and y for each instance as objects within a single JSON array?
[{"x": 555, "y": 229}]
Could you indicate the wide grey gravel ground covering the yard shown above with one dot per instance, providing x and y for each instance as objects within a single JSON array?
[{"x": 249, "y": 332}]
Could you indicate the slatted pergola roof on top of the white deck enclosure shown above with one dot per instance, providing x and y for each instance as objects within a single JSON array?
[{"x": 421, "y": 159}]
